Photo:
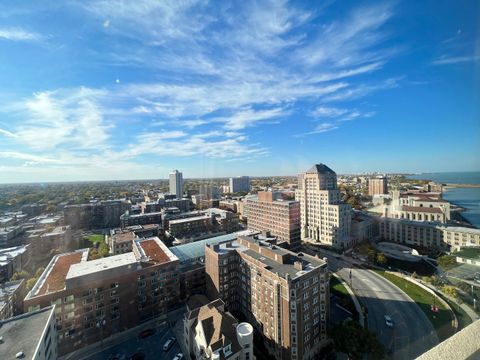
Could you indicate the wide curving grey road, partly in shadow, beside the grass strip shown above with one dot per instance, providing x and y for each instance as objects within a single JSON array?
[{"x": 412, "y": 334}]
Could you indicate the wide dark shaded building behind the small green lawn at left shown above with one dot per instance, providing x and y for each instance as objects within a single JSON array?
[{"x": 104, "y": 214}]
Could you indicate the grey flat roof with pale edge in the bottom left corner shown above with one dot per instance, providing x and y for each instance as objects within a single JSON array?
[{"x": 23, "y": 333}]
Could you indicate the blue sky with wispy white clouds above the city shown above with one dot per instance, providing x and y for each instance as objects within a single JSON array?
[{"x": 97, "y": 90}]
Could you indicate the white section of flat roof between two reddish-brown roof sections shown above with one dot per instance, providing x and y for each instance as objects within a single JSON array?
[{"x": 94, "y": 266}]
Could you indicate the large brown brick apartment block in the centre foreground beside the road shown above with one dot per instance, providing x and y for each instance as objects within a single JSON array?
[{"x": 284, "y": 295}]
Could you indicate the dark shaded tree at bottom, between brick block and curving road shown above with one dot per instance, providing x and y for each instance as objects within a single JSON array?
[{"x": 355, "y": 341}]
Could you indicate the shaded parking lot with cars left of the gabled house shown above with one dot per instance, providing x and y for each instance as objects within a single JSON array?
[{"x": 149, "y": 347}]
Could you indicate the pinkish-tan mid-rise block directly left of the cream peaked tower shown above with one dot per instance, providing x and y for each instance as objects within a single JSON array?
[{"x": 268, "y": 212}]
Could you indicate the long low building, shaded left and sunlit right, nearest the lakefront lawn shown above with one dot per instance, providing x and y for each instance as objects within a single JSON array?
[{"x": 428, "y": 234}]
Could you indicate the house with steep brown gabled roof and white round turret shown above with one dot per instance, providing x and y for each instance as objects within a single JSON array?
[{"x": 211, "y": 332}]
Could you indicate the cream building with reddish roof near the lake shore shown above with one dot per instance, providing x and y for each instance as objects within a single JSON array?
[{"x": 418, "y": 206}]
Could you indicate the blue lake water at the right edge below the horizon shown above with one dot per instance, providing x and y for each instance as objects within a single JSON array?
[{"x": 467, "y": 198}]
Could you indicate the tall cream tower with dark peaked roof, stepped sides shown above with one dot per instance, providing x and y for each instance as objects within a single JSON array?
[{"x": 324, "y": 219}]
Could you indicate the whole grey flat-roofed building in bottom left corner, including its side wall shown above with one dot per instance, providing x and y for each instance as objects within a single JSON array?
[{"x": 31, "y": 336}]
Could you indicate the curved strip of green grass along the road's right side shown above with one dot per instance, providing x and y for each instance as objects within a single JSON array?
[{"x": 442, "y": 321}]
